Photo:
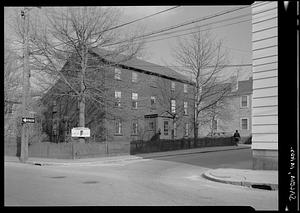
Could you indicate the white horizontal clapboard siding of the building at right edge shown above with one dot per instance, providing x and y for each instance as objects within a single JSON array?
[{"x": 265, "y": 80}]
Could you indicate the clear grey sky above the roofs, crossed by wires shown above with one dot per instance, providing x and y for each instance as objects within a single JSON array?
[{"x": 236, "y": 36}]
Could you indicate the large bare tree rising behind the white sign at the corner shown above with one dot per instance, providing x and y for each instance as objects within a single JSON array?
[{"x": 62, "y": 52}]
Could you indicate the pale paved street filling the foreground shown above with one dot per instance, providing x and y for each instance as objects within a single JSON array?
[{"x": 140, "y": 182}]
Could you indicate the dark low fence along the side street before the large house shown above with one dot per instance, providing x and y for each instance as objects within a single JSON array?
[{"x": 185, "y": 143}]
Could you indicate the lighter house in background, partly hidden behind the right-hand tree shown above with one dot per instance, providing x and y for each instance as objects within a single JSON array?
[{"x": 236, "y": 114}]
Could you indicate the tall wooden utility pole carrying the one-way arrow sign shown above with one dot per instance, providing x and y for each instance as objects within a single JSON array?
[{"x": 26, "y": 87}]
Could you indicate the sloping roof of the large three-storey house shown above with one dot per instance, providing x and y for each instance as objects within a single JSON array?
[{"x": 141, "y": 65}]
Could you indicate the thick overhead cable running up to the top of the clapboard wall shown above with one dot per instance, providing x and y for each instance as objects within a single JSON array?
[{"x": 183, "y": 24}]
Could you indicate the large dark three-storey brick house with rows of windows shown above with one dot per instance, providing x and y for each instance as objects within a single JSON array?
[{"x": 141, "y": 97}]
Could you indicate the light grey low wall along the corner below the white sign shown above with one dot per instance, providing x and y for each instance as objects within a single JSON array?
[{"x": 70, "y": 150}]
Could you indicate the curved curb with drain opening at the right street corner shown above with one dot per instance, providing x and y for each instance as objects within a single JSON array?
[{"x": 208, "y": 176}]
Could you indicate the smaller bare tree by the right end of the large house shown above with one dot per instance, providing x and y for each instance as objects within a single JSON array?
[{"x": 204, "y": 59}]
